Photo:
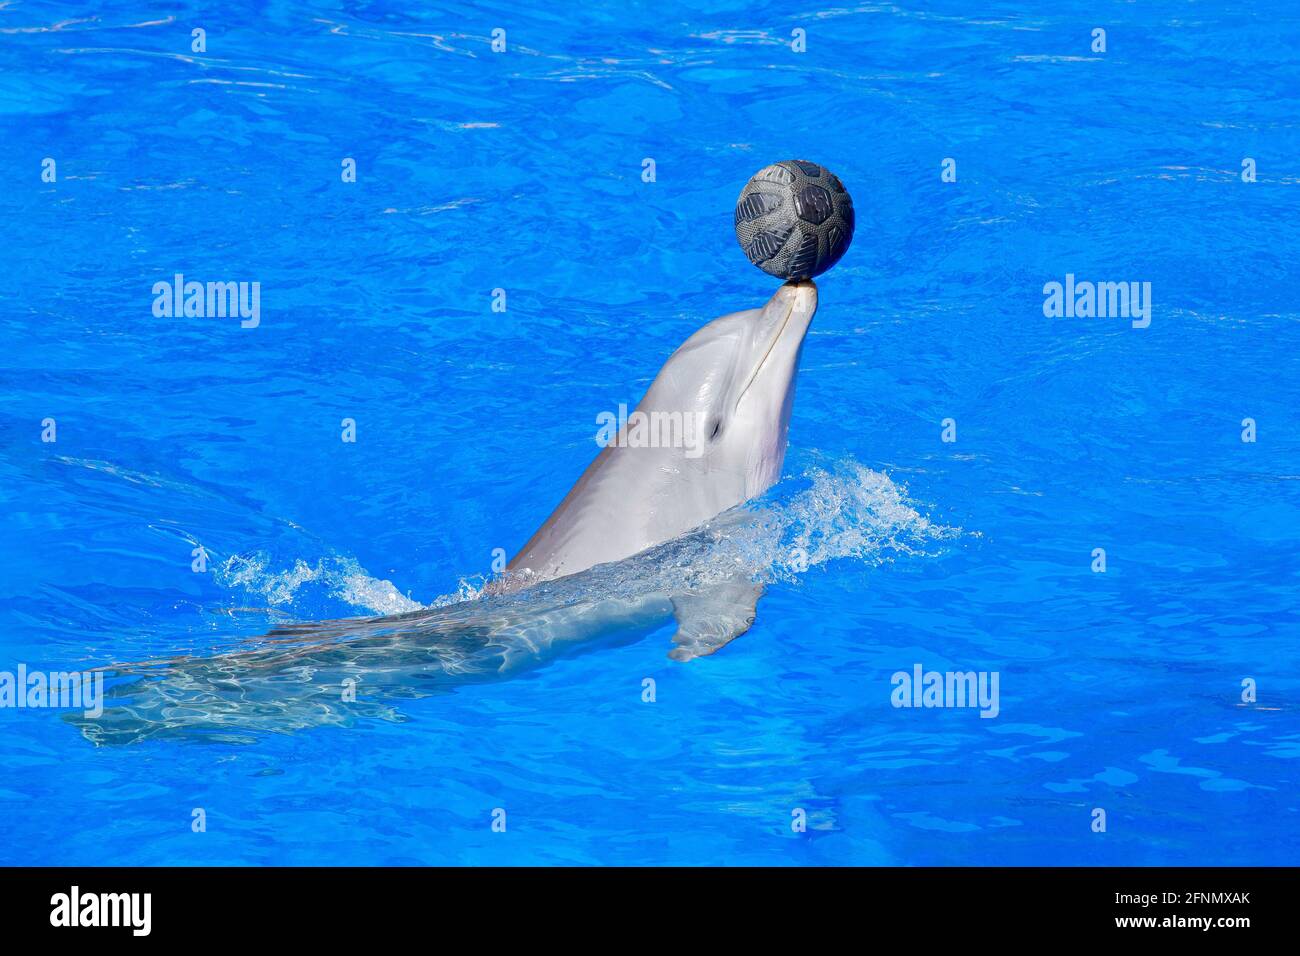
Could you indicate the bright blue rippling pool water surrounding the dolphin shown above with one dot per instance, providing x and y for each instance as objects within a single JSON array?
[{"x": 523, "y": 171}]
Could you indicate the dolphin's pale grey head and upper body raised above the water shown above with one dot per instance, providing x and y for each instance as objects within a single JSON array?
[{"x": 709, "y": 435}]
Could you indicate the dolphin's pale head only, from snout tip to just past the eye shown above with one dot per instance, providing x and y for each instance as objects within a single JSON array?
[{"x": 735, "y": 378}]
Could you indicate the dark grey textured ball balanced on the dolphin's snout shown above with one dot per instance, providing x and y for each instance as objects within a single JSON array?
[{"x": 795, "y": 219}]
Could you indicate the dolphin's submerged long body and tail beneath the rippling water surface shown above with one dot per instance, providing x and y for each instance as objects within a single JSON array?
[{"x": 336, "y": 672}]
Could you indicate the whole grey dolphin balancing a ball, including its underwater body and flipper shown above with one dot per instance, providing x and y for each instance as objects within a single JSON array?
[{"x": 634, "y": 544}]
